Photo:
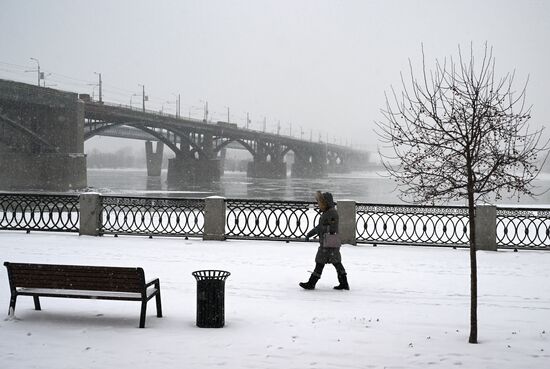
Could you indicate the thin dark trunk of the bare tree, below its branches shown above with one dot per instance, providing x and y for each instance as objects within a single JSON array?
[{"x": 473, "y": 269}]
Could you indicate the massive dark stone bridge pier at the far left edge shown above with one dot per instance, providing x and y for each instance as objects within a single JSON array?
[{"x": 41, "y": 138}]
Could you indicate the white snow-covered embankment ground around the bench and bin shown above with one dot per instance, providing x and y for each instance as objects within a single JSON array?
[{"x": 407, "y": 308}]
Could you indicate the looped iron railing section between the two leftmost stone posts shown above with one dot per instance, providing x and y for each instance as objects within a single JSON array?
[{"x": 148, "y": 216}]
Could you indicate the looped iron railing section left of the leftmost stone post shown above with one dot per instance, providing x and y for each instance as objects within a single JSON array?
[{"x": 59, "y": 213}]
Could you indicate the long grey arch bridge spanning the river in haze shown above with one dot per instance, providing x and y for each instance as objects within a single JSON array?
[{"x": 43, "y": 131}]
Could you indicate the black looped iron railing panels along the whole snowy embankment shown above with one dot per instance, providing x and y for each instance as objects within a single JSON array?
[{"x": 516, "y": 228}]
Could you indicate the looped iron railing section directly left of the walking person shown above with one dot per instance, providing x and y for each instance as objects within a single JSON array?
[{"x": 265, "y": 219}]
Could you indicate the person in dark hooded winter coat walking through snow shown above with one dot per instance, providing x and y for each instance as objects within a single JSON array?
[{"x": 328, "y": 223}]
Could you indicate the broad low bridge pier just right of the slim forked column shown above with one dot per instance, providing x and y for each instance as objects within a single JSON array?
[{"x": 190, "y": 171}]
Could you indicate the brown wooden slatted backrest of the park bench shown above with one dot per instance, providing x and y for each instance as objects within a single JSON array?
[{"x": 75, "y": 277}]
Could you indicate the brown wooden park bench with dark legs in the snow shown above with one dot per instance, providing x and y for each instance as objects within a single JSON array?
[{"x": 83, "y": 282}]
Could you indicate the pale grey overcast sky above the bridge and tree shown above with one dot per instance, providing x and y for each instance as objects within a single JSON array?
[{"x": 322, "y": 66}]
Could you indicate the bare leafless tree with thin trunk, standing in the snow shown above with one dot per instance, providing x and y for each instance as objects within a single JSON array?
[{"x": 460, "y": 132}]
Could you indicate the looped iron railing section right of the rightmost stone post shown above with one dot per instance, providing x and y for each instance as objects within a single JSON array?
[{"x": 523, "y": 228}]
